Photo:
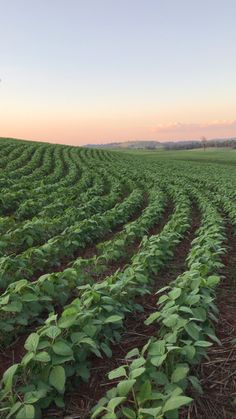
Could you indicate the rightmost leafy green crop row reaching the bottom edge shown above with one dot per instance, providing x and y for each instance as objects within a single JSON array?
[{"x": 153, "y": 382}]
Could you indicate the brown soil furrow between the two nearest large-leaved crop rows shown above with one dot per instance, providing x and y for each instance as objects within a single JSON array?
[{"x": 136, "y": 334}]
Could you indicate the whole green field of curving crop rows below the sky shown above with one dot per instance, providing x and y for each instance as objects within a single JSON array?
[{"x": 117, "y": 277}]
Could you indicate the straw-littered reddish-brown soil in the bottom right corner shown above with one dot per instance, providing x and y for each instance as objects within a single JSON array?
[{"x": 217, "y": 374}]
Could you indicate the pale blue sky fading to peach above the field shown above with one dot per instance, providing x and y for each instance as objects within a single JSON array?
[{"x": 97, "y": 71}]
